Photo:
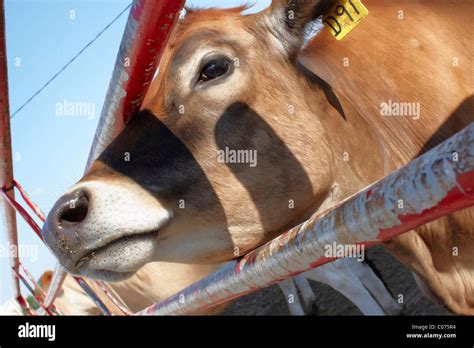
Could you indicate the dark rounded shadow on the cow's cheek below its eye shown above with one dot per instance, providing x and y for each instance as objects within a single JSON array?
[{"x": 278, "y": 177}]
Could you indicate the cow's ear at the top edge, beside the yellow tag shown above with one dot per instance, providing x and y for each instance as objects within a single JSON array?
[{"x": 288, "y": 20}]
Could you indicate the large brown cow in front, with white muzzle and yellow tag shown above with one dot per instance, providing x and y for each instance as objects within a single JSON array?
[{"x": 238, "y": 141}]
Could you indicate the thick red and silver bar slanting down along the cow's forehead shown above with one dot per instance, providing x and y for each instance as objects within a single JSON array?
[{"x": 148, "y": 28}]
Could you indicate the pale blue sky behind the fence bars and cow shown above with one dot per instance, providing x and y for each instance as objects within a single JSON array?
[{"x": 50, "y": 150}]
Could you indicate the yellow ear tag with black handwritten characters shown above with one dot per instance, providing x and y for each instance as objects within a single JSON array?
[{"x": 344, "y": 17}]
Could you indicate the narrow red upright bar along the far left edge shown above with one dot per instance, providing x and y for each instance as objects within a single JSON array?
[{"x": 6, "y": 167}]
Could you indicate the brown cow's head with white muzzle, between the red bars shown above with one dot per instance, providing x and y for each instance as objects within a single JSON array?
[{"x": 226, "y": 152}]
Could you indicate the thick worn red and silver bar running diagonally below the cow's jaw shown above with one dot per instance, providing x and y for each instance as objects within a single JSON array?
[{"x": 433, "y": 185}]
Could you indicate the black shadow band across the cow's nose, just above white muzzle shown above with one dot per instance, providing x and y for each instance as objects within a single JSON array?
[{"x": 160, "y": 163}]
